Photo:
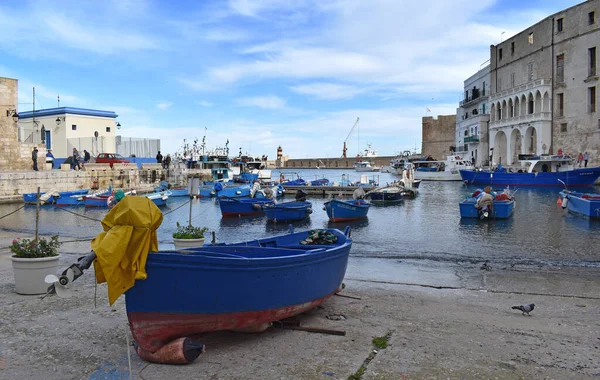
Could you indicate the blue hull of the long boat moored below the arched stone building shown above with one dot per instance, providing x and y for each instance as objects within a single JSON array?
[{"x": 575, "y": 177}]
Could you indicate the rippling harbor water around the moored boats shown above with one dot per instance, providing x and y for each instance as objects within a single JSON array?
[{"x": 427, "y": 228}]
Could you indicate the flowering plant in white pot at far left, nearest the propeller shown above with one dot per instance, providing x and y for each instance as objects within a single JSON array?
[{"x": 32, "y": 261}]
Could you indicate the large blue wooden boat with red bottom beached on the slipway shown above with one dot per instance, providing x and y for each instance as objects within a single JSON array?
[{"x": 234, "y": 286}]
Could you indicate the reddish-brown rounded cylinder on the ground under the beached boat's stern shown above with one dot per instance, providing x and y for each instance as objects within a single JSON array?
[{"x": 179, "y": 351}]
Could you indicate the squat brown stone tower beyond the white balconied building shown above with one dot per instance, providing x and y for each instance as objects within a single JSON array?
[{"x": 439, "y": 136}]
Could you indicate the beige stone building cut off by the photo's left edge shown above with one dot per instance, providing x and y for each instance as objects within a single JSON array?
[{"x": 11, "y": 155}]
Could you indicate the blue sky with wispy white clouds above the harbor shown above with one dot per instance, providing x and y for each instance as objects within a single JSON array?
[{"x": 259, "y": 73}]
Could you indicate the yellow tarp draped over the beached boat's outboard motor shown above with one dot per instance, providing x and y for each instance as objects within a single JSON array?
[{"x": 122, "y": 249}]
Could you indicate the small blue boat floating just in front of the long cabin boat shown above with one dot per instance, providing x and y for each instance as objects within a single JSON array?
[{"x": 502, "y": 207}]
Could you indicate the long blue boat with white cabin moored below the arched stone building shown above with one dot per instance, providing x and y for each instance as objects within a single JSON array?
[{"x": 536, "y": 171}]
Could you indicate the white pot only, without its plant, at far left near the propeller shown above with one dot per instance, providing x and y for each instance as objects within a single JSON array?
[{"x": 30, "y": 273}]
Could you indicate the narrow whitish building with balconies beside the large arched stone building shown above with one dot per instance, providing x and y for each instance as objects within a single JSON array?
[{"x": 472, "y": 119}]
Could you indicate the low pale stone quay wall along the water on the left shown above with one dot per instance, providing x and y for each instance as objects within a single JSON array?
[{"x": 14, "y": 184}]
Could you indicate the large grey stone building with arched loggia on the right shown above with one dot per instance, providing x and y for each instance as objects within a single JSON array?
[{"x": 544, "y": 86}]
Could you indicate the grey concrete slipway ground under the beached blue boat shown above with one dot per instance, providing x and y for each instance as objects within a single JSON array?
[{"x": 443, "y": 321}]
